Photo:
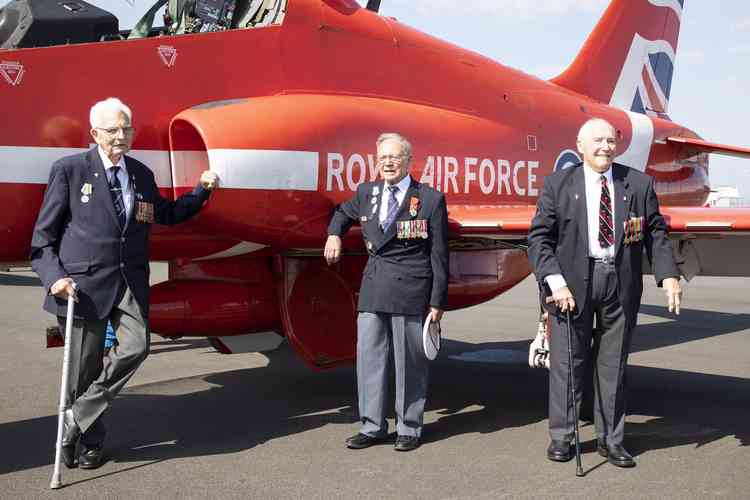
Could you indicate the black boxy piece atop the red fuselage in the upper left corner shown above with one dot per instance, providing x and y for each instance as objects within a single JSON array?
[{"x": 41, "y": 23}]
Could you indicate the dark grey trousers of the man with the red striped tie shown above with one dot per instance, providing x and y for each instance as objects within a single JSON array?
[{"x": 608, "y": 349}]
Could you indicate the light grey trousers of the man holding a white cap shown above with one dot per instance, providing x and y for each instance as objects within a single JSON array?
[{"x": 377, "y": 334}]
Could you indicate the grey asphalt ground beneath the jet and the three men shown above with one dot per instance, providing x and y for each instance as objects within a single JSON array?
[{"x": 193, "y": 423}]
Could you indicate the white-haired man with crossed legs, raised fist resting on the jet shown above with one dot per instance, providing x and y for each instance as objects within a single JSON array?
[{"x": 93, "y": 229}]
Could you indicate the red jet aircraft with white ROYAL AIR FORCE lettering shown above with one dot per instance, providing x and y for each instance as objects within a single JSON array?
[{"x": 286, "y": 107}]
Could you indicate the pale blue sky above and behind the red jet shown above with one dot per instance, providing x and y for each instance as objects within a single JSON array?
[{"x": 541, "y": 37}]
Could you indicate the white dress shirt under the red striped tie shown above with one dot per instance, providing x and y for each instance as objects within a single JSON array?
[{"x": 593, "y": 184}]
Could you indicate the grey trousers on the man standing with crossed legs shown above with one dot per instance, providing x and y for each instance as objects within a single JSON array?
[{"x": 96, "y": 380}]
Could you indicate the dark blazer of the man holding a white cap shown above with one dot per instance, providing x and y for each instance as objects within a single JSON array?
[{"x": 407, "y": 274}]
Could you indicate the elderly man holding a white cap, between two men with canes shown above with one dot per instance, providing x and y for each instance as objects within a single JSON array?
[{"x": 405, "y": 228}]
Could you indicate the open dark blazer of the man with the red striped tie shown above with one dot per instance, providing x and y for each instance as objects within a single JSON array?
[{"x": 558, "y": 238}]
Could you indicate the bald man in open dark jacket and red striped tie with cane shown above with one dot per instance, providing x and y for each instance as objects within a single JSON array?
[{"x": 586, "y": 246}]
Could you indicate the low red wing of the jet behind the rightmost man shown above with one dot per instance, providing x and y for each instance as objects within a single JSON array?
[{"x": 707, "y": 241}]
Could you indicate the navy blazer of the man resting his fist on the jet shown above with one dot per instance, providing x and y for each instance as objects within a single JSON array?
[{"x": 84, "y": 241}]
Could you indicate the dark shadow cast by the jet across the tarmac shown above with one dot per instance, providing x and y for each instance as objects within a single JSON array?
[{"x": 237, "y": 410}]
